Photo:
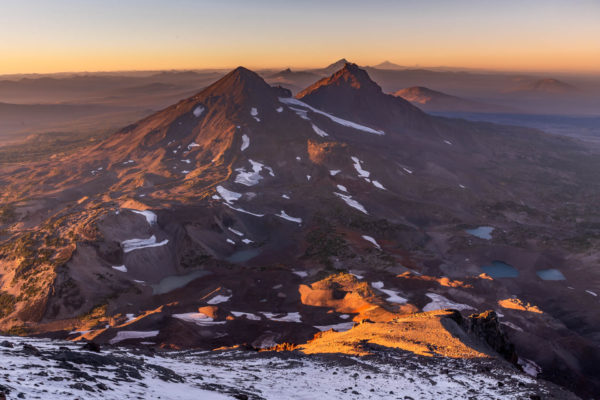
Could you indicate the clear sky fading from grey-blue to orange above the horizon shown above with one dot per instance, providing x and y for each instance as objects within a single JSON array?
[{"x": 102, "y": 35}]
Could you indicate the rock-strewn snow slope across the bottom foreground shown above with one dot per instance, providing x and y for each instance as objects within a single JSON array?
[{"x": 45, "y": 369}]
